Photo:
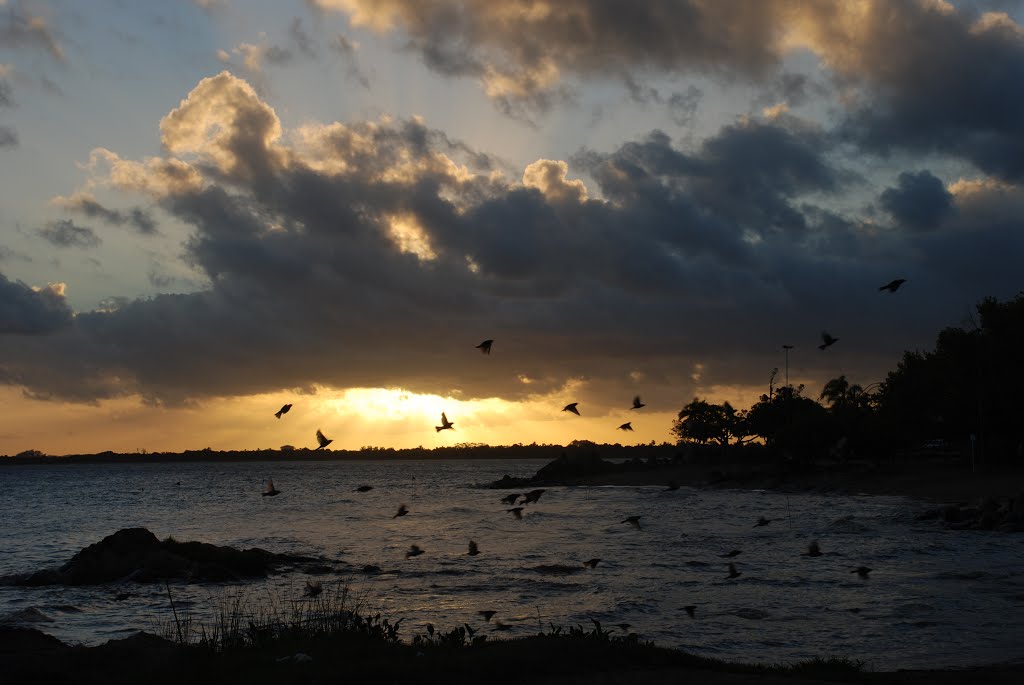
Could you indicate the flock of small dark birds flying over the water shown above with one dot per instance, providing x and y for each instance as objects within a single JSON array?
[{"x": 518, "y": 502}]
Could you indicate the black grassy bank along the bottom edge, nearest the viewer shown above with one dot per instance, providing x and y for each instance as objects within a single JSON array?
[{"x": 586, "y": 657}]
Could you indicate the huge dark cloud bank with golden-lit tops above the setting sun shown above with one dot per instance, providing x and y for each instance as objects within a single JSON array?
[{"x": 377, "y": 254}]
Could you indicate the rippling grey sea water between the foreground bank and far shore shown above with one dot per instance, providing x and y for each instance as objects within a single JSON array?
[{"x": 935, "y": 598}]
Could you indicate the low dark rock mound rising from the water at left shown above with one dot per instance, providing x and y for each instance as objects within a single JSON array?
[{"x": 137, "y": 555}]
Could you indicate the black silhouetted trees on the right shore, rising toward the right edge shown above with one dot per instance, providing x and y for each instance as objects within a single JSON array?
[{"x": 966, "y": 397}]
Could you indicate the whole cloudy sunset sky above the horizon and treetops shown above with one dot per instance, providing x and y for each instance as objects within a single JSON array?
[{"x": 210, "y": 208}]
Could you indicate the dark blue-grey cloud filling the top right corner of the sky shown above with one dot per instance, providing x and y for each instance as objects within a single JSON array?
[{"x": 941, "y": 82}]
